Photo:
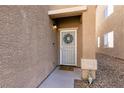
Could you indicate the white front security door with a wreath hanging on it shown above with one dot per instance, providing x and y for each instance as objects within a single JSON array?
[{"x": 68, "y": 47}]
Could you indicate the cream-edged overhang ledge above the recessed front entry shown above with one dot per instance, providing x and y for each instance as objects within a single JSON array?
[{"x": 66, "y": 12}]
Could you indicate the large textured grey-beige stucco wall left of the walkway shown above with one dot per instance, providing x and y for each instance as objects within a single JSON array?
[{"x": 27, "y": 53}]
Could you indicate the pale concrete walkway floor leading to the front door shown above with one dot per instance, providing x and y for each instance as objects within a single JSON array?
[{"x": 61, "y": 79}]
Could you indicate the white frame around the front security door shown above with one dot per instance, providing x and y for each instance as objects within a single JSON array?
[{"x": 68, "y": 30}]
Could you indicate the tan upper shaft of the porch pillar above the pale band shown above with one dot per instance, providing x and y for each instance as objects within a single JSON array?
[{"x": 88, "y": 34}]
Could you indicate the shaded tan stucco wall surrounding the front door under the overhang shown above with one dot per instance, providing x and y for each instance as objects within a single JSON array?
[{"x": 71, "y": 22}]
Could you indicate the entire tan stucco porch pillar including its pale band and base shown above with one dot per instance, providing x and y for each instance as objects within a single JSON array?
[{"x": 88, "y": 62}]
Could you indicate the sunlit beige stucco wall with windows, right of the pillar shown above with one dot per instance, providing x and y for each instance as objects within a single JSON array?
[{"x": 114, "y": 22}]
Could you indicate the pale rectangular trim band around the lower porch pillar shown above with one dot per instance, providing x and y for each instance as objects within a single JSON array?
[{"x": 89, "y": 64}]
